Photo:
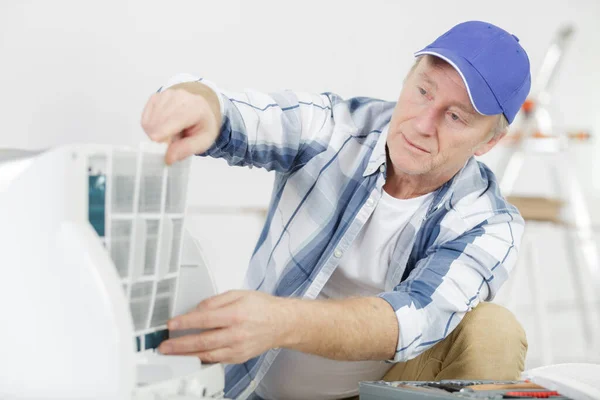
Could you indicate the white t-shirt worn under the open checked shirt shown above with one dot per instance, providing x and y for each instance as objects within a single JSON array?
[{"x": 361, "y": 272}]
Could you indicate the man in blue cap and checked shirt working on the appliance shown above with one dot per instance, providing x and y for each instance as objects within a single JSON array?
[{"x": 383, "y": 231}]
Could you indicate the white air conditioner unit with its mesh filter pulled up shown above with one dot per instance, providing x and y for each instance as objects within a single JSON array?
[{"x": 95, "y": 259}]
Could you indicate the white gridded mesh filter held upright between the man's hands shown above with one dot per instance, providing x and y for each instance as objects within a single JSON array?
[{"x": 145, "y": 219}]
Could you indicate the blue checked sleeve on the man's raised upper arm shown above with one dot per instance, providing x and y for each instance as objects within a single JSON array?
[{"x": 279, "y": 131}]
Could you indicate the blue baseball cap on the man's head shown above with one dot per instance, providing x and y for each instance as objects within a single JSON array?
[{"x": 491, "y": 62}]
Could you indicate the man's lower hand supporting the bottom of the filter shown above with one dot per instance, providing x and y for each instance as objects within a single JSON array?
[{"x": 239, "y": 325}]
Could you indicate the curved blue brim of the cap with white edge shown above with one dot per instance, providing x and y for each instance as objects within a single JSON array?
[{"x": 482, "y": 97}]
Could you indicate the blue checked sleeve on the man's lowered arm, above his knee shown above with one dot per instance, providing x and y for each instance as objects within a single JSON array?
[{"x": 451, "y": 280}]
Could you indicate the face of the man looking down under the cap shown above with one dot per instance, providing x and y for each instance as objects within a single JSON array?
[{"x": 434, "y": 129}]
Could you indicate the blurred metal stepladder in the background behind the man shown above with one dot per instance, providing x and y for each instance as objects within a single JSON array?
[{"x": 537, "y": 138}]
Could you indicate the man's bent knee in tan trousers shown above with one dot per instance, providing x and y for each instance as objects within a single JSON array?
[{"x": 489, "y": 343}]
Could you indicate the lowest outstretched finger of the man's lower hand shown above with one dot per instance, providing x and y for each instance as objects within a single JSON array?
[{"x": 199, "y": 343}]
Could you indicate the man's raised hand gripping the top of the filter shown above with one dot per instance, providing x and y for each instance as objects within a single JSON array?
[{"x": 187, "y": 116}]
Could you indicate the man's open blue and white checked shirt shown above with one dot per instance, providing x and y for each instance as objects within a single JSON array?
[{"x": 330, "y": 162}]
